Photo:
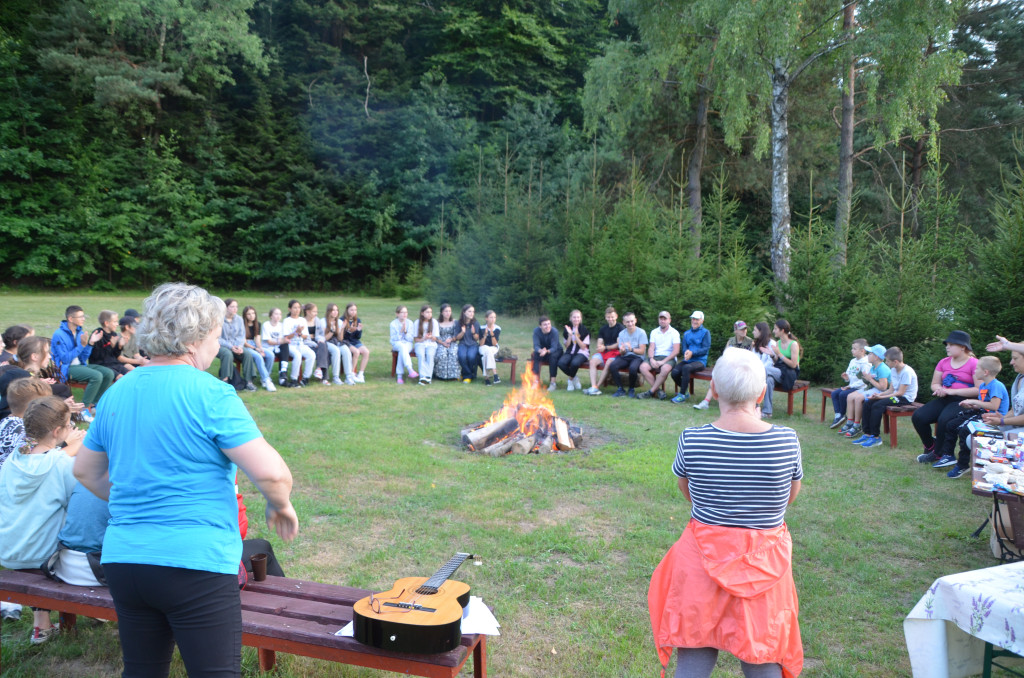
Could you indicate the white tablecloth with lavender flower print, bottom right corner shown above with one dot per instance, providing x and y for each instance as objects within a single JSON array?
[{"x": 948, "y": 629}]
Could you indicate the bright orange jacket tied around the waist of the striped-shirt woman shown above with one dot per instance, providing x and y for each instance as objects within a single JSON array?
[{"x": 729, "y": 588}]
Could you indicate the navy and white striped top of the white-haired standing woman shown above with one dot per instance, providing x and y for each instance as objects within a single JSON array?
[{"x": 739, "y": 480}]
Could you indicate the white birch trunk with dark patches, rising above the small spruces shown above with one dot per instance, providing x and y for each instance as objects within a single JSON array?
[{"x": 781, "y": 172}]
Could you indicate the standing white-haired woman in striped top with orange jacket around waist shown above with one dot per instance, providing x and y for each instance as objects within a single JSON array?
[{"x": 728, "y": 583}]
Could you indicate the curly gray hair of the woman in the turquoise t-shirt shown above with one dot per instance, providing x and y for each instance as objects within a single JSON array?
[{"x": 176, "y": 316}]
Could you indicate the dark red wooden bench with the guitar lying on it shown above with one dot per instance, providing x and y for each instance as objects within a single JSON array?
[{"x": 279, "y": 615}]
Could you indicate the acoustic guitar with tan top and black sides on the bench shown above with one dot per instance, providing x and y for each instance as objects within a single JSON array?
[{"x": 418, "y": 615}]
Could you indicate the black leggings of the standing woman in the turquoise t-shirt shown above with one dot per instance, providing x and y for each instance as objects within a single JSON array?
[{"x": 160, "y": 607}]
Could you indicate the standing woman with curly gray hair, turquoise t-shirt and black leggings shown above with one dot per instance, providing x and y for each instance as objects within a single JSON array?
[{"x": 163, "y": 452}]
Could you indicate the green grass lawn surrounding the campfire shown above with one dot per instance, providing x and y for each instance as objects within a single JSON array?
[{"x": 567, "y": 543}]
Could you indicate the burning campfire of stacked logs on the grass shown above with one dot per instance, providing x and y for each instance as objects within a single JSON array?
[{"x": 526, "y": 423}]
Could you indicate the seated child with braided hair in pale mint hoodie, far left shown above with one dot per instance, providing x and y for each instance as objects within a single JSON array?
[{"x": 36, "y": 483}]
